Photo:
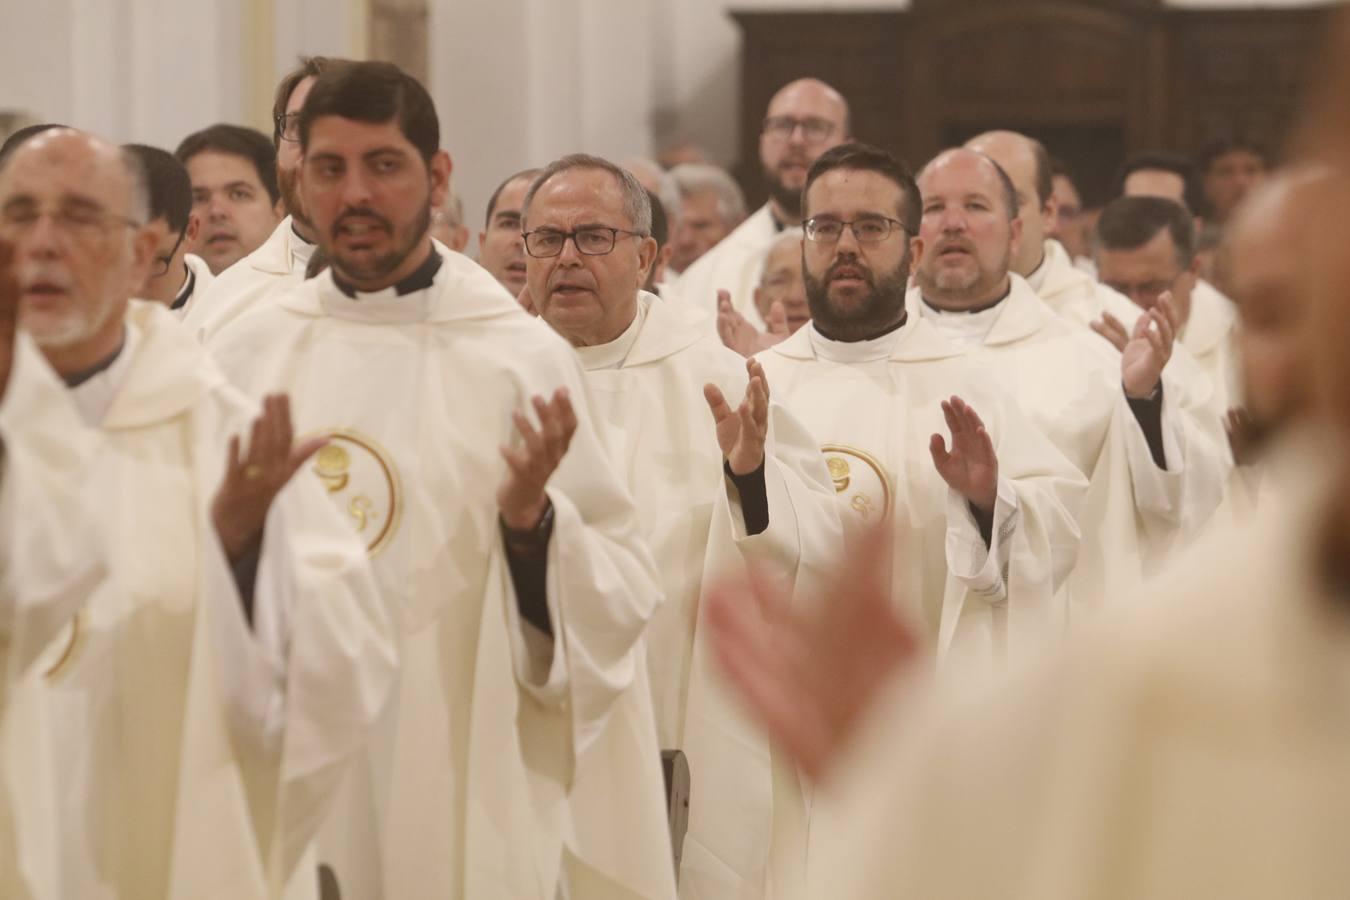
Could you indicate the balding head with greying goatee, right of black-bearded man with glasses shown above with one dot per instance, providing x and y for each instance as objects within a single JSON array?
[{"x": 970, "y": 233}]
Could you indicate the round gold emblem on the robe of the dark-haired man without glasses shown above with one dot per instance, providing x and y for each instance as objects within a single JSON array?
[{"x": 362, "y": 481}]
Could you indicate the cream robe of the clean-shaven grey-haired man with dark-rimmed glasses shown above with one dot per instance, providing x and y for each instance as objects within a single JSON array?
[{"x": 649, "y": 392}]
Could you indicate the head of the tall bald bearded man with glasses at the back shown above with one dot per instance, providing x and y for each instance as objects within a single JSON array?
[{"x": 804, "y": 119}]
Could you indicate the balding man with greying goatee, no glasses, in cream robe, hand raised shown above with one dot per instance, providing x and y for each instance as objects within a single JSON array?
[{"x": 1155, "y": 473}]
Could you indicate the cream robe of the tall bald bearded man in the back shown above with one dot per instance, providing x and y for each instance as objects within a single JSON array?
[{"x": 734, "y": 265}]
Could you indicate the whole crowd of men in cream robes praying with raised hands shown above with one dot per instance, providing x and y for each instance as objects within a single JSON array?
[{"x": 851, "y": 547}]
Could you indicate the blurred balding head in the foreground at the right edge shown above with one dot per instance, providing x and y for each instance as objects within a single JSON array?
[{"x": 1268, "y": 276}]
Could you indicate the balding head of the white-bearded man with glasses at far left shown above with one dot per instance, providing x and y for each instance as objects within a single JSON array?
[{"x": 75, "y": 208}]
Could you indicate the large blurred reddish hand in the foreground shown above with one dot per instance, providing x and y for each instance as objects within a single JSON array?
[{"x": 811, "y": 671}]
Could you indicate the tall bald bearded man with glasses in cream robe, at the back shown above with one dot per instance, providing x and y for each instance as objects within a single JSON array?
[{"x": 804, "y": 119}]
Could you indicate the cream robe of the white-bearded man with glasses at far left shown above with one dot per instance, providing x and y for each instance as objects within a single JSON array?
[{"x": 169, "y": 750}]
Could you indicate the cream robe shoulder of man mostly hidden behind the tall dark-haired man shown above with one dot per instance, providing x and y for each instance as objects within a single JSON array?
[{"x": 269, "y": 272}]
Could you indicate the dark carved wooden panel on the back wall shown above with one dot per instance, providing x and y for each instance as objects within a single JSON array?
[{"x": 1097, "y": 80}]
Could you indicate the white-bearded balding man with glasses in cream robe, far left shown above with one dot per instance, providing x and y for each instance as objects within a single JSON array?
[{"x": 183, "y": 735}]
